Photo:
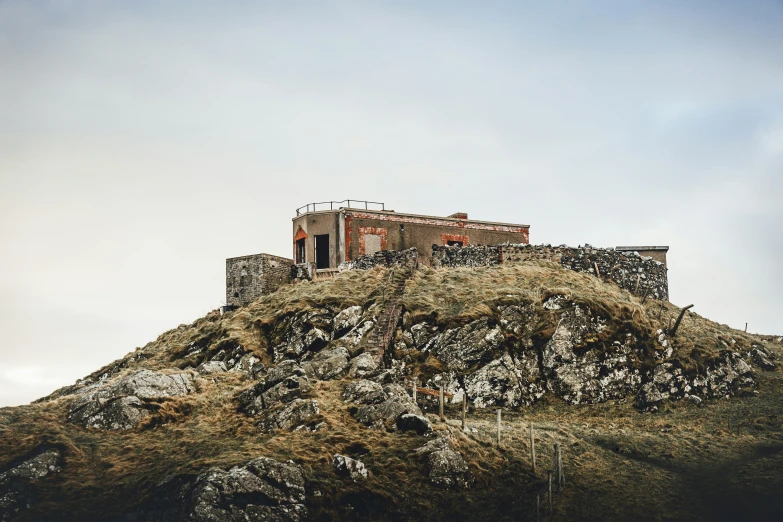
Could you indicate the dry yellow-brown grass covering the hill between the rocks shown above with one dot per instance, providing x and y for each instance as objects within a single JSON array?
[{"x": 706, "y": 461}]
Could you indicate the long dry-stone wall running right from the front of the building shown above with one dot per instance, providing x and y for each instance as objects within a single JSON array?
[{"x": 628, "y": 270}]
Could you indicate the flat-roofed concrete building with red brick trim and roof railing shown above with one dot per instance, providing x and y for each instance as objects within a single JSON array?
[{"x": 331, "y": 233}]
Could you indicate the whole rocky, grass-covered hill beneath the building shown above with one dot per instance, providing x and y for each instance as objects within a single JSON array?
[{"x": 241, "y": 416}]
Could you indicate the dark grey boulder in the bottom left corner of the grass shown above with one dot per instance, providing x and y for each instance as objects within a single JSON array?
[{"x": 16, "y": 493}]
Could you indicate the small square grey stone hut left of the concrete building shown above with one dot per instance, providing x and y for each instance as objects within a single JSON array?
[{"x": 250, "y": 277}]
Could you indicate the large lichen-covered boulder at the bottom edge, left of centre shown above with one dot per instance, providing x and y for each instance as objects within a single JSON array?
[{"x": 260, "y": 490}]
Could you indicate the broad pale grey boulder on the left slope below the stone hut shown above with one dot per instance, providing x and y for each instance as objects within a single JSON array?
[{"x": 120, "y": 406}]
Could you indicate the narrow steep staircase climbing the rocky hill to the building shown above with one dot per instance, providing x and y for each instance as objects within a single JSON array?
[{"x": 386, "y": 323}]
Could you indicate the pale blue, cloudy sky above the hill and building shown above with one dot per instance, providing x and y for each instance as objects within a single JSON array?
[{"x": 142, "y": 143}]
